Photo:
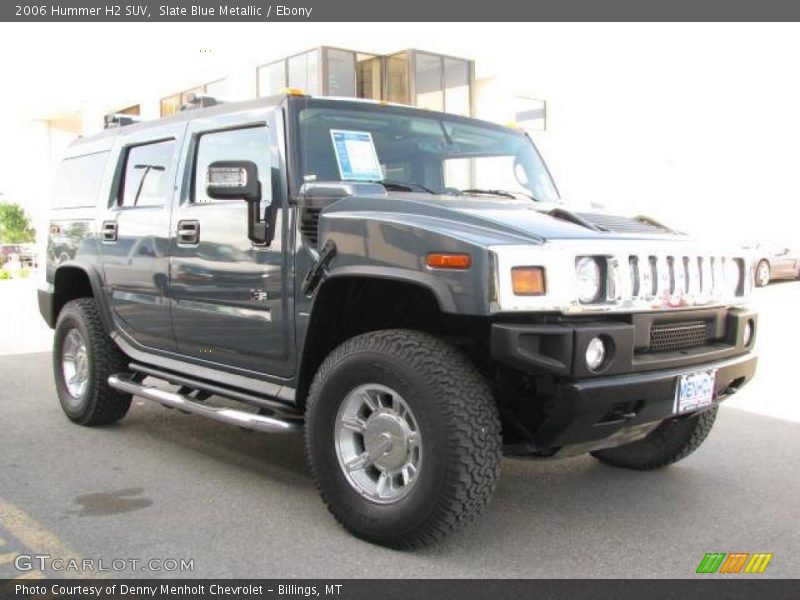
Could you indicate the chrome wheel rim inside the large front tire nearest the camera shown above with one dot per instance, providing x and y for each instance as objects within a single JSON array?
[{"x": 378, "y": 443}]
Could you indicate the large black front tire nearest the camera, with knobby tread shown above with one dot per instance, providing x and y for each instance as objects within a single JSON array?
[{"x": 458, "y": 431}]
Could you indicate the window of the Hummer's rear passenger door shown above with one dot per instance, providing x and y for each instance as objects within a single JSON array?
[{"x": 147, "y": 180}]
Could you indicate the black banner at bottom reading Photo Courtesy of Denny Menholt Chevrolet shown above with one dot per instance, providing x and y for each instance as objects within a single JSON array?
[{"x": 397, "y": 589}]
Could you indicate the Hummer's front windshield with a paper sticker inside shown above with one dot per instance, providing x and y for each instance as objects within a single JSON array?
[{"x": 411, "y": 150}]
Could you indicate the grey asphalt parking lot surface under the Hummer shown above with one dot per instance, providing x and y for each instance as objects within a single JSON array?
[{"x": 162, "y": 485}]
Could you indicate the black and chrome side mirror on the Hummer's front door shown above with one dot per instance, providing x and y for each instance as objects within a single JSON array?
[{"x": 238, "y": 179}]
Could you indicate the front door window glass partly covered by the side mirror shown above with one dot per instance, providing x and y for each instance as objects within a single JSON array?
[{"x": 251, "y": 143}]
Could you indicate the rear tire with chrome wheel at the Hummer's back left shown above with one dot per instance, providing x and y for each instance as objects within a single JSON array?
[{"x": 94, "y": 402}]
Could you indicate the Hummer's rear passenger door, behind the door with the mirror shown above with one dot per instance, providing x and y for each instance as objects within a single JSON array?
[{"x": 135, "y": 234}]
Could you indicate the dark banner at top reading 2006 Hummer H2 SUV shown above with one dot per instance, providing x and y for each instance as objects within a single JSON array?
[{"x": 391, "y": 10}]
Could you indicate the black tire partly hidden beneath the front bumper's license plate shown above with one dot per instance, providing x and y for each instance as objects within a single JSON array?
[{"x": 673, "y": 440}]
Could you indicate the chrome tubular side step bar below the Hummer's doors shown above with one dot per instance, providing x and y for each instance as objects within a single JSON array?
[{"x": 224, "y": 415}]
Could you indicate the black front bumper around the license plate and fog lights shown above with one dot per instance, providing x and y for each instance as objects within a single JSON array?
[{"x": 582, "y": 411}]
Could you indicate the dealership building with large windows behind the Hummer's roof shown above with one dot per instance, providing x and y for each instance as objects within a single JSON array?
[{"x": 414, "y": 77}]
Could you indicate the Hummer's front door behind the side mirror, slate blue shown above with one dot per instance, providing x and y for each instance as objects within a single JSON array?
[{"x": 230, "y": 296}]
